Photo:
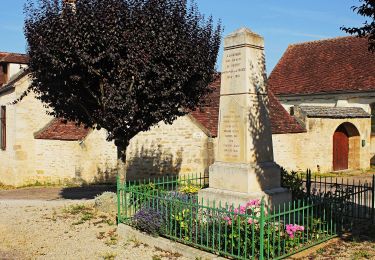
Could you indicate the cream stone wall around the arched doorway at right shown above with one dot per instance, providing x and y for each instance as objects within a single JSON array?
[{"x": 314, "y": 149}]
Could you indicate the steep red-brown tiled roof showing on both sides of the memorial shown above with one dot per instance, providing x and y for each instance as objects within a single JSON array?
[{"x": 281, "y": 121}]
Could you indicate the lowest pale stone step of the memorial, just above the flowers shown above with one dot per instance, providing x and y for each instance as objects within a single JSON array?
[{"x": 272, "y": 198}]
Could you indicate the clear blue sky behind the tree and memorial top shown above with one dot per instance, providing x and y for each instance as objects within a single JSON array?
[{"x": 280, "y": 22}]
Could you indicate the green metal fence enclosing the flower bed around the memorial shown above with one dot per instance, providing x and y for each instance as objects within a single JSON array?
[{"x": 251, "y": 231}]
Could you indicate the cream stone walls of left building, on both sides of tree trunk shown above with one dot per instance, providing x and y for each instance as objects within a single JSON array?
[{"x": 181, "y": 148}]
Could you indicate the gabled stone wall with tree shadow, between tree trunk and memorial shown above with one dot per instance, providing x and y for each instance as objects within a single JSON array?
[{"x": 180, "y": 148}]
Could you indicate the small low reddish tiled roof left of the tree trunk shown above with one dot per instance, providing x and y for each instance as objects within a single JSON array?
[{"x": 58, "y": 130}]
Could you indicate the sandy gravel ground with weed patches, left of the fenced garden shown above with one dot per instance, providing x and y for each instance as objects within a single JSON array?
[{"x": 65, "y": 229}]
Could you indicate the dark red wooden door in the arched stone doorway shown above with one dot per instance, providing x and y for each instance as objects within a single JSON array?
[{"x": 340, "y": 149}]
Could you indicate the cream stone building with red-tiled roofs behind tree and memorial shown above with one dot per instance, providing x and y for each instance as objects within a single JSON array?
[{"x": 42, "y": 149}]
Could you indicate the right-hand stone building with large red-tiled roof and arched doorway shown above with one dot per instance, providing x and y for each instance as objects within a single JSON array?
[{"x": 329, "y": 86}]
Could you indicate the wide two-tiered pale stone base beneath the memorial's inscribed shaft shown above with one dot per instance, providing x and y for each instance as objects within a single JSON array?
[{"x": 237, "y": 183}]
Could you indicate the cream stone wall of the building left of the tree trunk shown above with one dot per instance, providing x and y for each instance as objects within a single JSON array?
[{"x": 28, "y": 160}]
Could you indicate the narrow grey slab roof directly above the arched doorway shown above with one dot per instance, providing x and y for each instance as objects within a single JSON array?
[{"x": 334, "y": 112}]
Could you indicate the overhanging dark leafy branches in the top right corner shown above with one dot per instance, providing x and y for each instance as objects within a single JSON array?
[{"x": 366, "y": 9}]
